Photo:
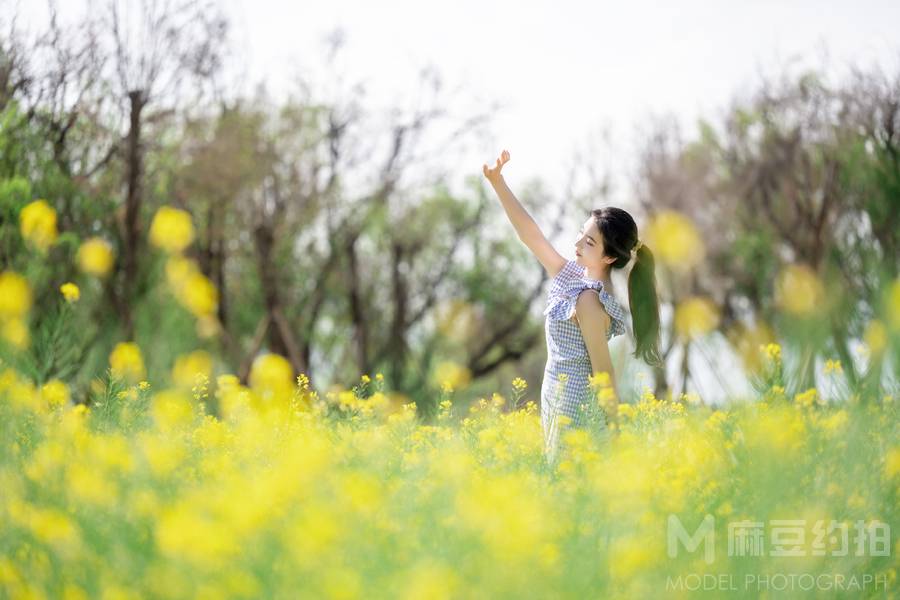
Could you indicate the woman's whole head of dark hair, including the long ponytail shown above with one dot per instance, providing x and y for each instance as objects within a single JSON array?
[{"x": 620, "y": 236}]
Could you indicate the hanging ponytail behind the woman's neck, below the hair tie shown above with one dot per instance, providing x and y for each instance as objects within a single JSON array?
[{"x": 644, "y": 305}]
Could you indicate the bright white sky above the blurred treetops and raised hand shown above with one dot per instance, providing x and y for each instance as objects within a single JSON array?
[{"x": 566, "y": 69}]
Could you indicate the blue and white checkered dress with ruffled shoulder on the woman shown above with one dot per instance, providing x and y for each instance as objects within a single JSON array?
[{"x": 565, "y": 386}]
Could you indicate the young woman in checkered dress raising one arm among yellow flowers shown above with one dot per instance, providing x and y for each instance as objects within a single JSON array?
[{"x": 582, "y": 312}]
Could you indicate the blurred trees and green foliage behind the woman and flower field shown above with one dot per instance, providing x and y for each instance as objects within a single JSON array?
[{"x": 302, "y": 231}]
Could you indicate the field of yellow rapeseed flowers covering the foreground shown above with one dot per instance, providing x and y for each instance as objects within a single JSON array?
[{"x": 336, "y": 497}]
